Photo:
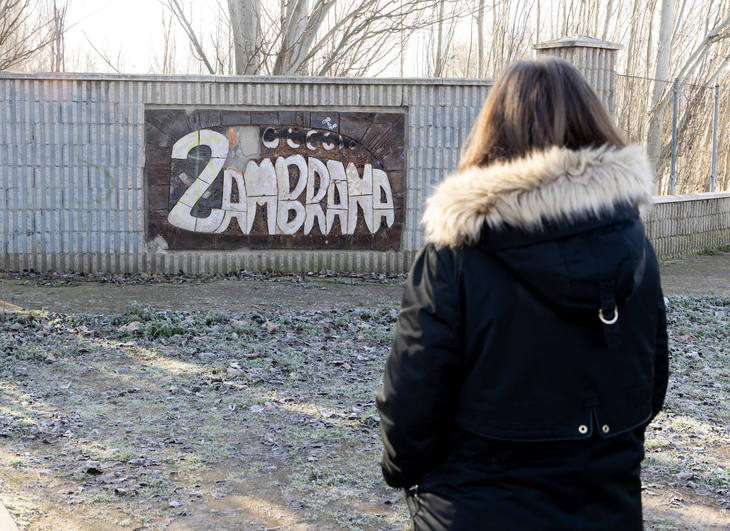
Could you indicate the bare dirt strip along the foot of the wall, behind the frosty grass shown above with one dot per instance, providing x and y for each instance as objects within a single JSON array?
[{"x": 700, "y": 275}]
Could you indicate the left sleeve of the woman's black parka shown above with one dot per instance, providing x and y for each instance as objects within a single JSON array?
[{"x": 423, "y": 370}]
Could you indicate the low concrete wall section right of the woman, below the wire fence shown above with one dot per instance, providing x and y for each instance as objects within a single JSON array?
[{"x": 679, "y": 225}]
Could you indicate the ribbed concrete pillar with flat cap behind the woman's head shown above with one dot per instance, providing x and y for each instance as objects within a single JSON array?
[{"x": 595, "y": 58}]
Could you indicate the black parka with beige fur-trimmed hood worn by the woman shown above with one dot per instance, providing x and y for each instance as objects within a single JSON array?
[{"x": 508, "y": 401}]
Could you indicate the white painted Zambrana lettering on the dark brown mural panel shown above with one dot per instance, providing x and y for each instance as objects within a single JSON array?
[{"x": 297, "y": 192}]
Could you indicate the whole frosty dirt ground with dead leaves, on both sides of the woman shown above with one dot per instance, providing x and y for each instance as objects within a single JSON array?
[{"x": 249, "y": 404}]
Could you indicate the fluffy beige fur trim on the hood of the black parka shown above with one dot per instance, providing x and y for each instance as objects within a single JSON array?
[{"x": 552, "y": 185}]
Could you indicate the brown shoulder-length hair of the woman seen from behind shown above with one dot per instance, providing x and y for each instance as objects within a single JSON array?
[{"x": 536, "y": 105}]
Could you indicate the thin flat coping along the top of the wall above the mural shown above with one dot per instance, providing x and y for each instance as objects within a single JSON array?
[{"x": 301, "y": 80}]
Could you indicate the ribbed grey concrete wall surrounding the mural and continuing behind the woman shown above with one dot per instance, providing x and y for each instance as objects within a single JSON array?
[{"x": 72, "y": 190}]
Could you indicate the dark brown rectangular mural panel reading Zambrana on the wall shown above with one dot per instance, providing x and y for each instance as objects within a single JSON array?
[{"x": 220, "y": 179}]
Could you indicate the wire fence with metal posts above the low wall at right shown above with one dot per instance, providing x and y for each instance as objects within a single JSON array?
[{"x": 689, "y": 142}]
